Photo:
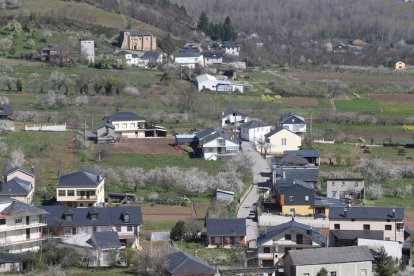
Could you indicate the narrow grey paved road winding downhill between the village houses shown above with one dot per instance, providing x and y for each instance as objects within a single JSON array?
[{"x": 261, "y": 170}]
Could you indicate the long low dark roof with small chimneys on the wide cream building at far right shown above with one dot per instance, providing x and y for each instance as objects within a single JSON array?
[{"x": 369, "y": 213}]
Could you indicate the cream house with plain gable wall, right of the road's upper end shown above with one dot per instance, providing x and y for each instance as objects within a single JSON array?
[{"x": 280, "y": 140}]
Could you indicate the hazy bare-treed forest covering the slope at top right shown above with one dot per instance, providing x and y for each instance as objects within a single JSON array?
[{"x": 290, "y": 29}]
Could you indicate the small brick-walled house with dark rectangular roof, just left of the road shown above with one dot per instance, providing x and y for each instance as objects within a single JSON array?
[{"x": 225, "y": 232}]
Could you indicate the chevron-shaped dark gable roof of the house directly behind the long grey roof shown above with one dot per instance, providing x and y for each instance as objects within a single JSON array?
[{"x": 292, "y": 225}]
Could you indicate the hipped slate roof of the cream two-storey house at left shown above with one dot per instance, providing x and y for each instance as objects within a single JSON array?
[{"x": 83, "y": 178}]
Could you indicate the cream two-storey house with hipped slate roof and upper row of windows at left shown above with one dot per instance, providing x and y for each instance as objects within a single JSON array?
[{"x": 81, "y": 189}]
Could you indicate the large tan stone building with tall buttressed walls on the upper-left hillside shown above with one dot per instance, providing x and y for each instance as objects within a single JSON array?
[{"x": 137, "y": 41}]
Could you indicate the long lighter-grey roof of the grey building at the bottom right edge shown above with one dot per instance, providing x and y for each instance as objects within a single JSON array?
[{"x": 331, "y": 255}]
